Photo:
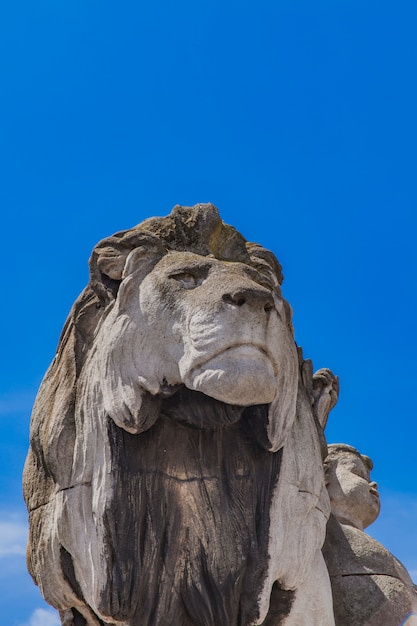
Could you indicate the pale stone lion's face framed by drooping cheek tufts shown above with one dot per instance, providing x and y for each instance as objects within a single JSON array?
[{"x": 214, "y": 322}]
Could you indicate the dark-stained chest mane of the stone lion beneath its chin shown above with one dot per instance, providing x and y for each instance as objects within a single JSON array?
[{"x": 194, "y": 503}]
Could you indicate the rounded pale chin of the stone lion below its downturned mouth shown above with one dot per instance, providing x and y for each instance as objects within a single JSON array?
[{"x": 242, "y": 375}]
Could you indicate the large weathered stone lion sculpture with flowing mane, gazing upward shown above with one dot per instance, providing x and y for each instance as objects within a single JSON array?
[{"x": 174, "y": 476}]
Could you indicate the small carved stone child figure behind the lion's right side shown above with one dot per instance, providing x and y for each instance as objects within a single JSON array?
[{"x": 370, "y": 586}]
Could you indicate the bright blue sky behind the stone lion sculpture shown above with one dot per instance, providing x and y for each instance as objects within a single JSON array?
[{"x": 296, "y": 118}]
